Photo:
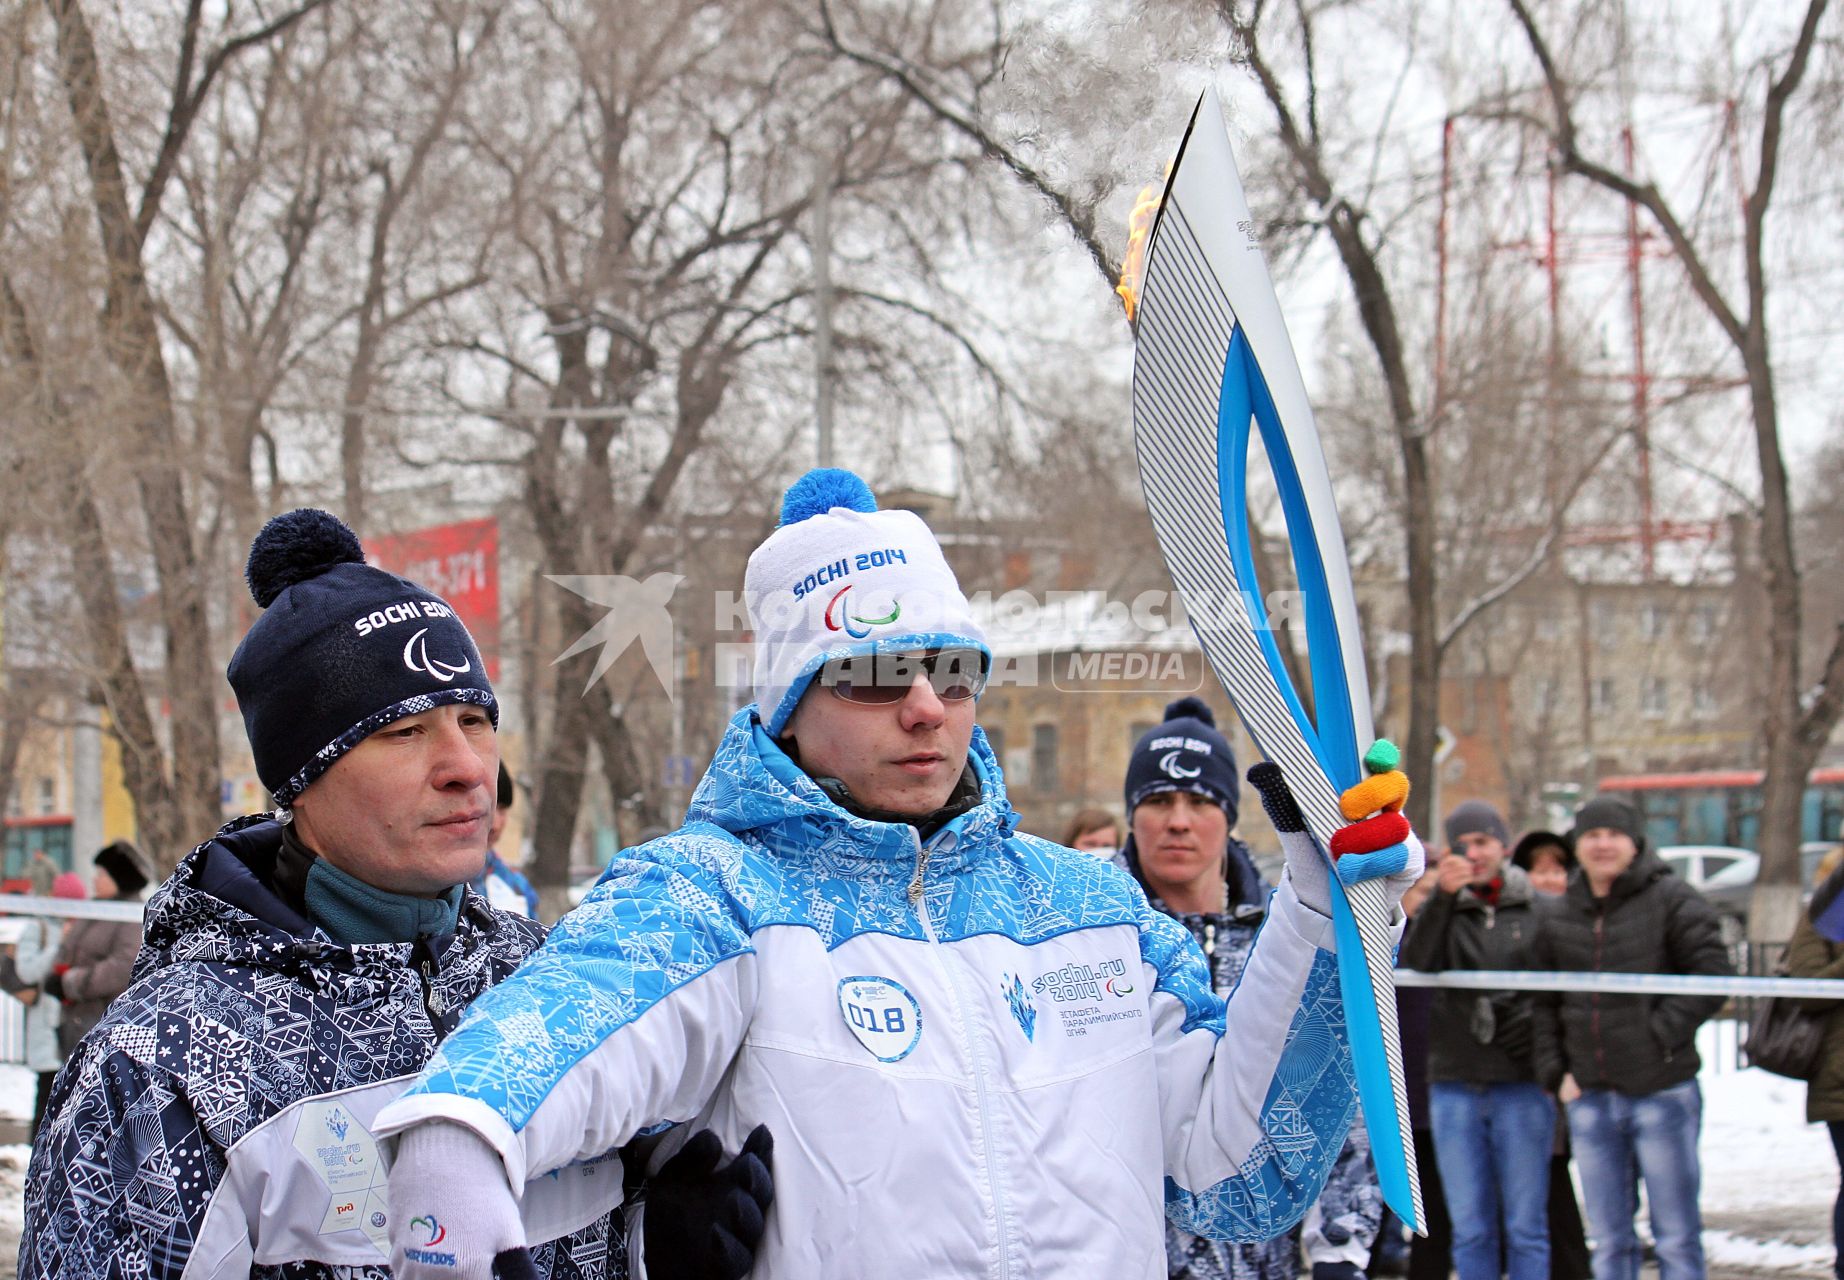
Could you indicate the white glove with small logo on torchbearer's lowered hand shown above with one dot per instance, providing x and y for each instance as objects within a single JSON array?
[{"x": 453, "y": 1211}]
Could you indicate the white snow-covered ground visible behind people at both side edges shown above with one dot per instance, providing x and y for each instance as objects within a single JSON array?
[{"x": 1769, "y": 1178}]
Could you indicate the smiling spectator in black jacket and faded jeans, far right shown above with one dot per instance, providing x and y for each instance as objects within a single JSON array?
[{"x": 1625, "y": 1065}]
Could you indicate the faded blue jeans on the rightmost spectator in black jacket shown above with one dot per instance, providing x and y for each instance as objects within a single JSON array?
[{"x": 1653, "y": 1137}]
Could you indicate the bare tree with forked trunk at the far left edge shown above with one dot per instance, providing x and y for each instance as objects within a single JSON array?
[{"x": 174, "y": 788}]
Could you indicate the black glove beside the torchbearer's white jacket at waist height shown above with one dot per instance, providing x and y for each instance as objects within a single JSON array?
[{"x": 702, "y": 1222}]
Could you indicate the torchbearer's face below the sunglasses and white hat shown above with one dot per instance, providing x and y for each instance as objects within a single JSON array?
[{"x": 903, "y": 757}]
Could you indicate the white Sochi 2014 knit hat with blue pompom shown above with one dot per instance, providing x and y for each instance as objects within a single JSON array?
[{"x": 840, "y": 578}]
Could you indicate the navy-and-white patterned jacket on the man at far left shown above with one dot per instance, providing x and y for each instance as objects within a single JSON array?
[{"x": 219, "y": 1119}]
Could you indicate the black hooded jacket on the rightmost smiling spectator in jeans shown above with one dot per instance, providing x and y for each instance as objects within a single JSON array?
[{"x": 1649, "y": 923}]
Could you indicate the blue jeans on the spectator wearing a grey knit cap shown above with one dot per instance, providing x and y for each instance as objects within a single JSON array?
[{"x": 1493, "y": 1146}]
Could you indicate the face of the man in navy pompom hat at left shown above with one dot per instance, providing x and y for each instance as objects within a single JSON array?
[{"x": 410, "y": 809}]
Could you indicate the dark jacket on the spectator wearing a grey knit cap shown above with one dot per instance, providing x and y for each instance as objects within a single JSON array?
[{"x": 1478, "y": 1037}]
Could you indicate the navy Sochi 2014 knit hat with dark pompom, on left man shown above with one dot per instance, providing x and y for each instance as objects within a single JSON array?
[{"x": 340, "y": 652}]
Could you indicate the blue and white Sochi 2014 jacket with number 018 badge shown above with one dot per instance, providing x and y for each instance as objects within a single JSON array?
[{"x": 980, "y": 1056}]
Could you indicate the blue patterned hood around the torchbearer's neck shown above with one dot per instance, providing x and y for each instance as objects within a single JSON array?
[{"x": 757, "y": 792}]
